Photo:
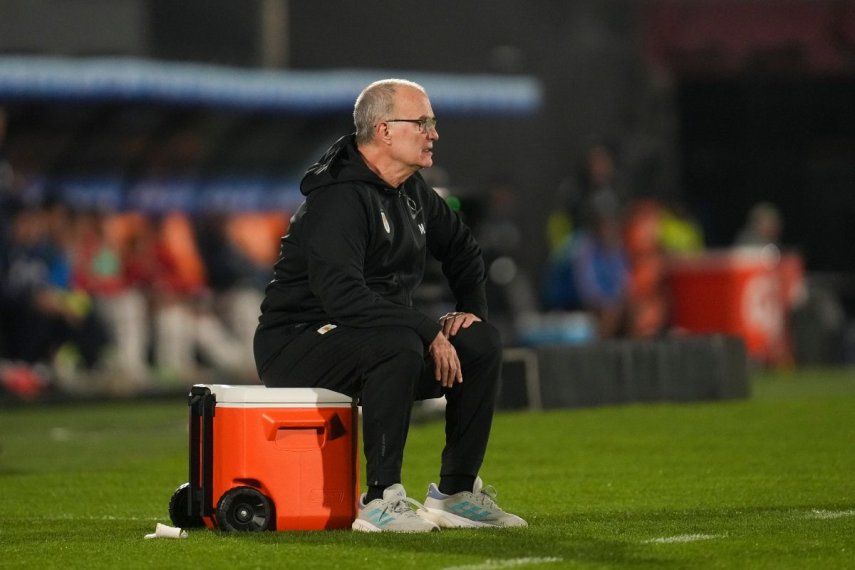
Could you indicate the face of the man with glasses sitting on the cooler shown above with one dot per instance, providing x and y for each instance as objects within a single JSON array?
[{"x": 410, "y": 146}]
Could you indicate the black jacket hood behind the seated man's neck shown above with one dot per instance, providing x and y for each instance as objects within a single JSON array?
[{"x": 341, "y": 163}]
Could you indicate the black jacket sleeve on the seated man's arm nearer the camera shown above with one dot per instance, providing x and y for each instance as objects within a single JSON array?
[{"x": 337, "y": 230}]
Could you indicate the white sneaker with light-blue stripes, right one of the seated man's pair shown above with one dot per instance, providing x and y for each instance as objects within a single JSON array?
[{"x": 468, "y": 509}]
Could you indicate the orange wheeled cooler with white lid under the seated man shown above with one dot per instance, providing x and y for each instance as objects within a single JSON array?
[{"x": 270, "y": 459}]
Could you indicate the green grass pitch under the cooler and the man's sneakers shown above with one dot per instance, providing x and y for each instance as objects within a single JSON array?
[{"x": 763, "y": 483}]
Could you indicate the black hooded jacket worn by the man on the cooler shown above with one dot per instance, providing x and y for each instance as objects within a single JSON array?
[{"x": 356, "y": 251}]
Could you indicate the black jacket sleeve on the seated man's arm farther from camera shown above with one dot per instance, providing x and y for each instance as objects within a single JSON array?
[{"x": 452, "y": 243}]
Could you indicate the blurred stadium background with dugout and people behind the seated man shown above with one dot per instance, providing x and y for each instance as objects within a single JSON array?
[{"x": 634, "y": 170}]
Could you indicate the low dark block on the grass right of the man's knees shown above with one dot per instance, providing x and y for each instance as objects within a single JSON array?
[{"x": 688, "y": 369}]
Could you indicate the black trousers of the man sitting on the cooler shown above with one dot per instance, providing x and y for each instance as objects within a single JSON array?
[{"x": 388, "y": 369}]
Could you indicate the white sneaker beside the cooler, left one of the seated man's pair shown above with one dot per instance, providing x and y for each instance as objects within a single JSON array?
[{"x": 395, "y": 512}]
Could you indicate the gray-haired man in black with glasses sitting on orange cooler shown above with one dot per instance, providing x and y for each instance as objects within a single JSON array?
[{"x": 339, "y": 313}]
